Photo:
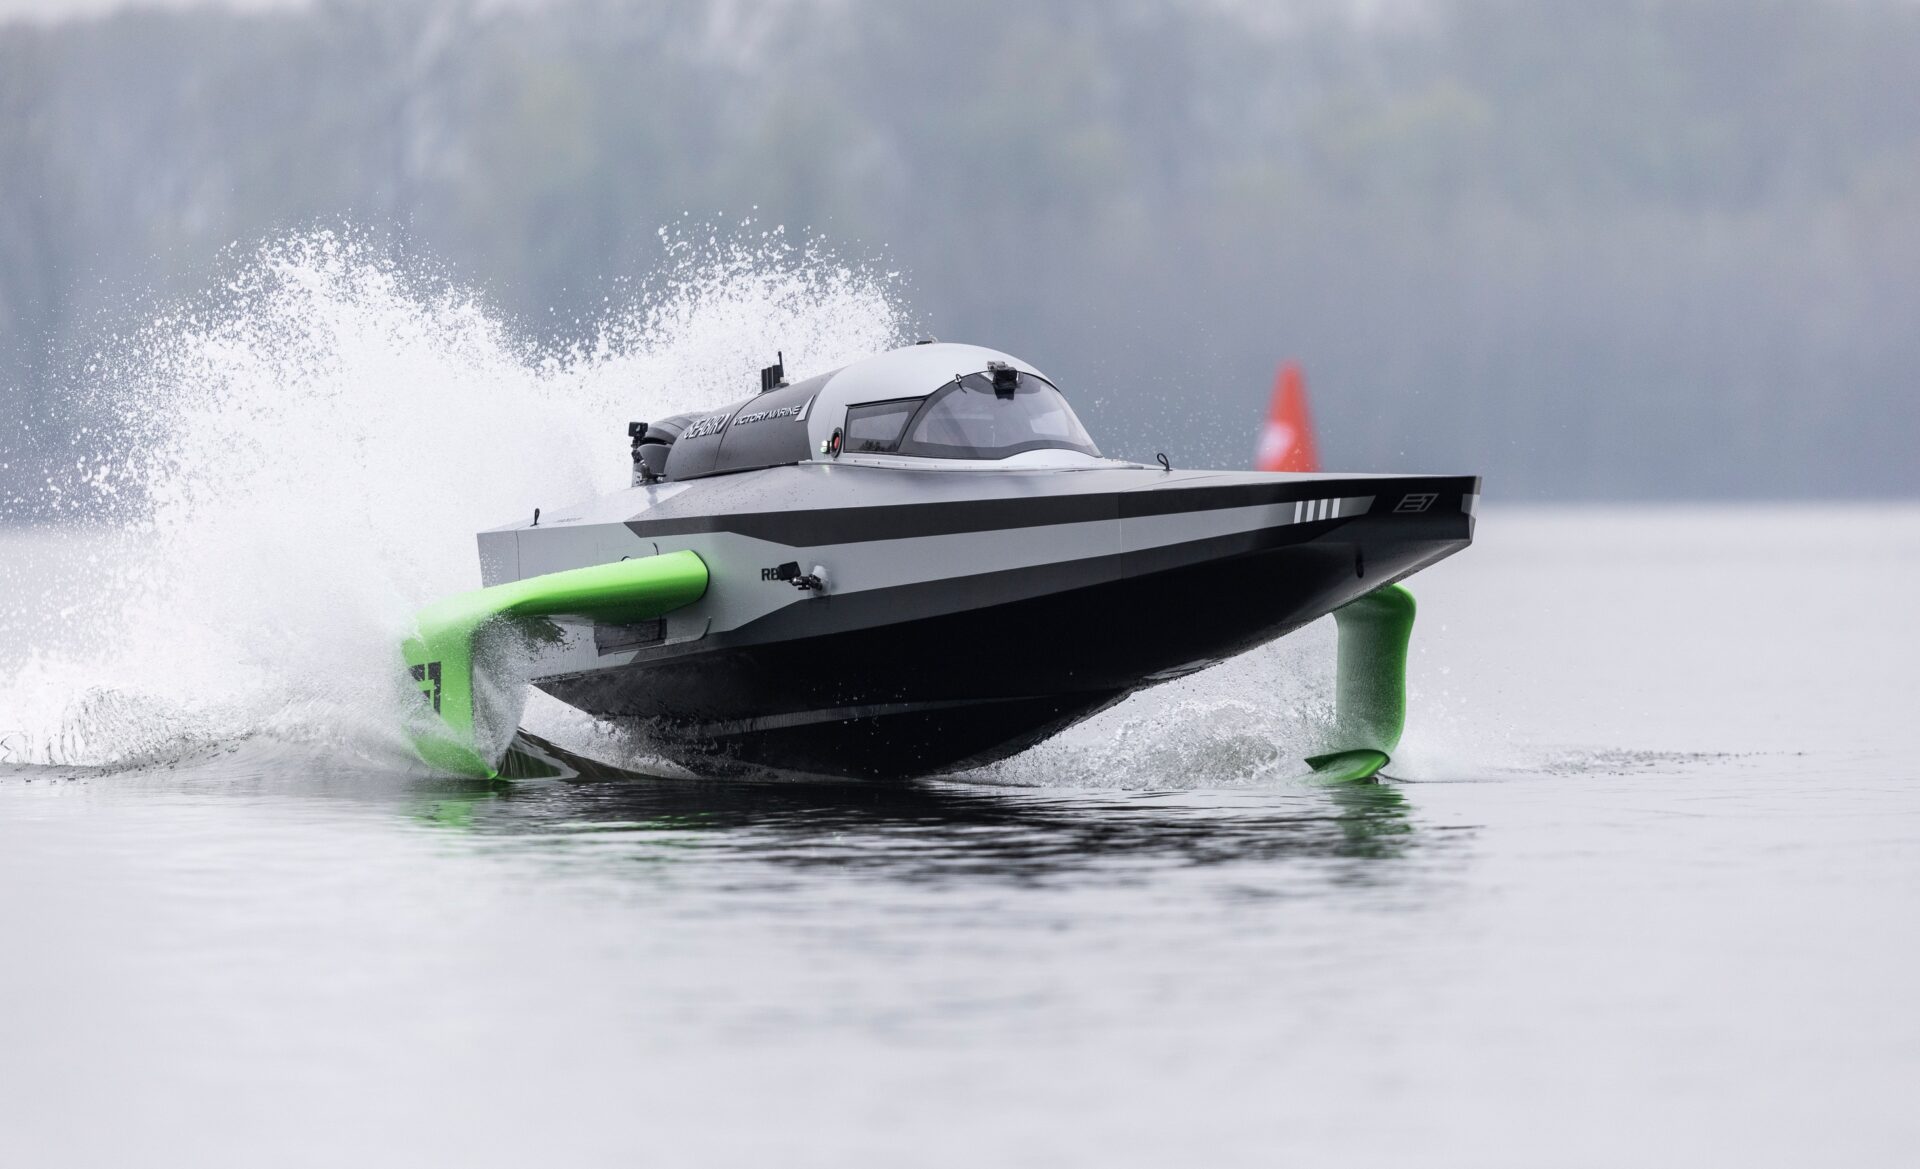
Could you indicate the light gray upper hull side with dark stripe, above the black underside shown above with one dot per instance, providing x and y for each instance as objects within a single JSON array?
[{"x": 878, "y": 533}]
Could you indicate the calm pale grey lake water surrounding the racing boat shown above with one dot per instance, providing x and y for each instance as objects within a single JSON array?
[{"x": 1644, "y": 892}]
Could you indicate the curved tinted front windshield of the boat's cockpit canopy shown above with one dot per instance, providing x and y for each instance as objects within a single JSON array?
[{"x": 971, "y": 419}]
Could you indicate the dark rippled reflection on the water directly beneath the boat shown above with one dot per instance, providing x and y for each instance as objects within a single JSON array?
[{"x": 930, "y": 832}]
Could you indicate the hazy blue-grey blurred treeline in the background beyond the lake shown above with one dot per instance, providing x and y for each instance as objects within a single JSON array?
[{"x": 1591, "y": 250}]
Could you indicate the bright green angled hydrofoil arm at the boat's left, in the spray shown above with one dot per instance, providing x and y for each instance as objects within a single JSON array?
[{"x": 473, "y": 728}]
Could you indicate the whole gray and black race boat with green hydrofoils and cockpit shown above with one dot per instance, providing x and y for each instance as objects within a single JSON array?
[{"x": 909, "y": 565}]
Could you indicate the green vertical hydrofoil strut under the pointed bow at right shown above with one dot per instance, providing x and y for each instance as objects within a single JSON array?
[{"x": 1370, "y": 688}]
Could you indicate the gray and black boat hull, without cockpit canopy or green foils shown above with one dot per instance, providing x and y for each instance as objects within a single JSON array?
[{"x": 955, "y": 629}]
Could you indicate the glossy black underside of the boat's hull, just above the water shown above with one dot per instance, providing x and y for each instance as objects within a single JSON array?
[{"x": 978, "y": 684}]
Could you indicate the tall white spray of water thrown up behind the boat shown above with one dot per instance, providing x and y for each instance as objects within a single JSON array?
[{"x": 283, "y": 473}]
